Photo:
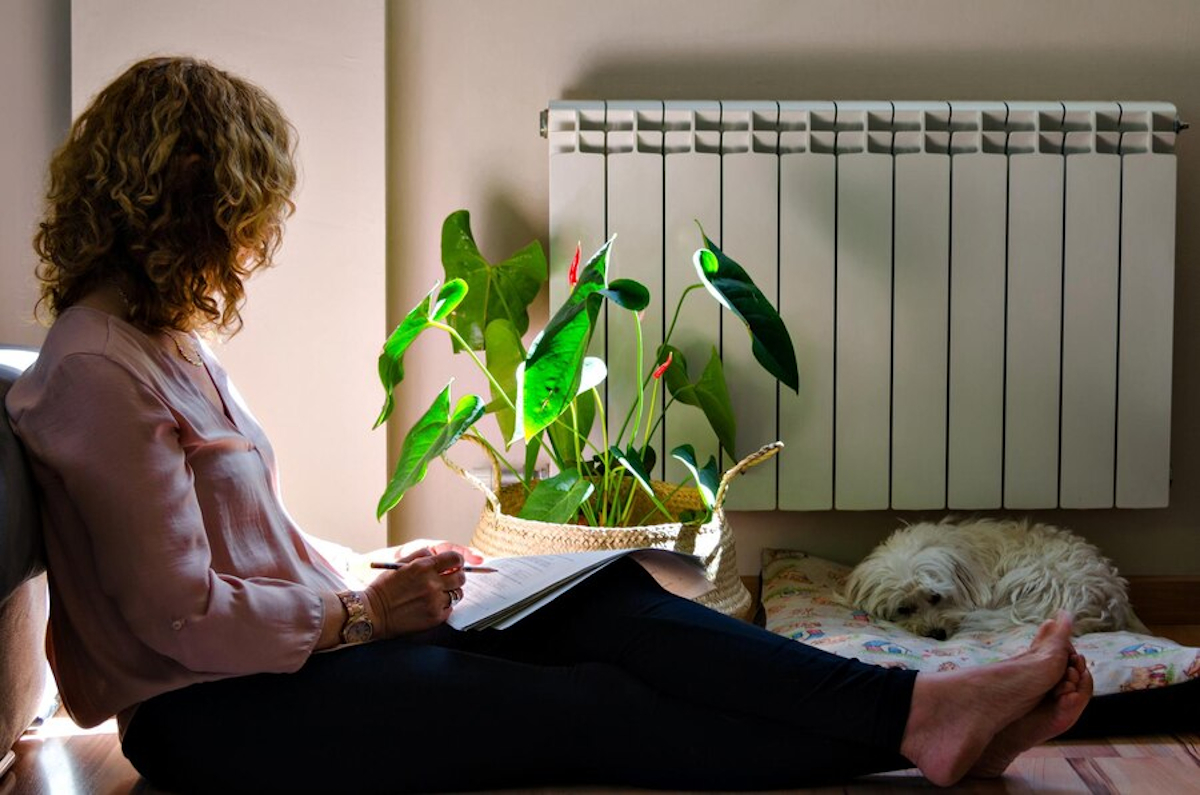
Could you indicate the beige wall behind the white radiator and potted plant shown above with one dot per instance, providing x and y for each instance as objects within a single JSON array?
[{"x": 467, "y": 81}]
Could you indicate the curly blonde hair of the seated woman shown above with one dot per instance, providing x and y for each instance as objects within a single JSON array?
[{"x": 173, "y": 186}]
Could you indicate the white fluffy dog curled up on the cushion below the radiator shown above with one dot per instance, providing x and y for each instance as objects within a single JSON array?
[{"x": 983, "y": 576}]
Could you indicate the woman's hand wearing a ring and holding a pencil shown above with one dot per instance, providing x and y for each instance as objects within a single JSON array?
[{"x": 417, "y": 596}]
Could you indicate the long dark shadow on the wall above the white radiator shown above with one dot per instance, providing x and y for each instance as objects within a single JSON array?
[{"x": 950, "y": 74}]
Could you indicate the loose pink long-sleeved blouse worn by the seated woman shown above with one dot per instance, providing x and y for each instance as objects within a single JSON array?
[{"x": 172, "y": 560}]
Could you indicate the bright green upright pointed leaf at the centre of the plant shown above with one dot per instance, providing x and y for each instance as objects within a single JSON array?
[{"x": 550, "y": 379}]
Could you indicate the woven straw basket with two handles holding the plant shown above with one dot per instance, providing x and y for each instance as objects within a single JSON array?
[{"x": 502, "y": 534}]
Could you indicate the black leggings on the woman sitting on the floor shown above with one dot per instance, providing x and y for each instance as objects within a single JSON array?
[{"x": 617, "y": 683}]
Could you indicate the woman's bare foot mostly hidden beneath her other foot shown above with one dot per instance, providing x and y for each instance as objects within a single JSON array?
[{"x": 1057, "y": 714}]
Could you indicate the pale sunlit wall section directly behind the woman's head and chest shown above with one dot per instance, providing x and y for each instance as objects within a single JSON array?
[{"x": 305, "y": 361}]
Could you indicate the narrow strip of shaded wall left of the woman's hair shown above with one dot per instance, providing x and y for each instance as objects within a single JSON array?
[{"x": 34, "y": 116}]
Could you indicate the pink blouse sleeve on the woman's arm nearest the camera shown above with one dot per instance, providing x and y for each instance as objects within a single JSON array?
[{"x": 116, "y": 446}]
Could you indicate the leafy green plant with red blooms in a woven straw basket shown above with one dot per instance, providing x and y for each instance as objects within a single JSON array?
[{"x": 545, "y": 398}]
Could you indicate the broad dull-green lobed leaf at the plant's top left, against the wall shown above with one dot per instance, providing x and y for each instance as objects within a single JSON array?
[{"x": 497, "y": 292}]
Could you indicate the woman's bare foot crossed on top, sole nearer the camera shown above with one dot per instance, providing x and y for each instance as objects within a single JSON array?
[{"x": 956, "y": 716}]
